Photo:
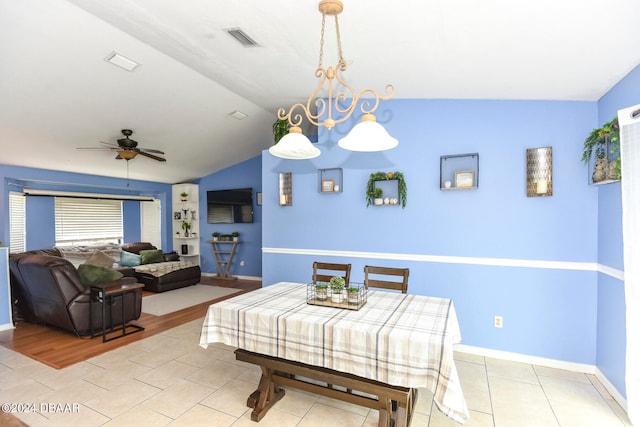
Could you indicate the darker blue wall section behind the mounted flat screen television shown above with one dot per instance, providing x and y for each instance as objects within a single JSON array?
[{"x": 243, "y": 175}]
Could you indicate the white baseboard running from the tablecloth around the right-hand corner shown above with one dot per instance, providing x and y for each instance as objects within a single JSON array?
[{"x": 549, "y": 363}]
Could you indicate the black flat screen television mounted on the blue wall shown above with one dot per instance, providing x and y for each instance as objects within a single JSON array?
[{"x": 230, "y": 206}]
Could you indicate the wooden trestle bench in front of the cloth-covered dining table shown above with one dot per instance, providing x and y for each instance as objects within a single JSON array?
[{"x": 394, "y": 404}]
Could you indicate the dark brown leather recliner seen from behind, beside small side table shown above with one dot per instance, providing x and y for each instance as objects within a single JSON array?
[{"x": 50, "y": 293}]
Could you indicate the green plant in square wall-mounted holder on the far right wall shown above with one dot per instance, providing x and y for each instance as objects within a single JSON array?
[{"x": 602, "y": 144}]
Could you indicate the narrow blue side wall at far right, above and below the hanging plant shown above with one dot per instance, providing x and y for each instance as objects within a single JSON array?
[{"x": 611, "y": 302}]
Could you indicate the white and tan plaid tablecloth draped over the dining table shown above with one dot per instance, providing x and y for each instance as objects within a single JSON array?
[{"x": 397, "y": 339}]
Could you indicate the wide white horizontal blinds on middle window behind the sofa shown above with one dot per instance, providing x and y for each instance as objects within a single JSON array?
[{"x": 80, "y": 221}]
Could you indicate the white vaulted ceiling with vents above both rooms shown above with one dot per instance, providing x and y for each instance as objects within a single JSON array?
[{"x": 58, "y": 93}]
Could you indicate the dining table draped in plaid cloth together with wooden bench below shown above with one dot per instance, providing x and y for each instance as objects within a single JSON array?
[{"x": 387, "y": 349}]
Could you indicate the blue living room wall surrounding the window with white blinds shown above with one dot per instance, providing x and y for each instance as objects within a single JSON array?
[{"x": 40, "y": 220}]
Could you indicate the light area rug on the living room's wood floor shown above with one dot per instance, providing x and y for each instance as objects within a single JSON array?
[{"x": 177, "y": 299}]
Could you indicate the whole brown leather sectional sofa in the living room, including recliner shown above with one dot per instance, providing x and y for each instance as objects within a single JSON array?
[{"x": 48, "y": 287}]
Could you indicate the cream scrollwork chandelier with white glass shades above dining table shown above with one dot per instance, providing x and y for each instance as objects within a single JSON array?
[{"x": 368, "y": 135}]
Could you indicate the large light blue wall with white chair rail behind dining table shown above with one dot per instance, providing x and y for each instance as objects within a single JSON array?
[{"x": 494, "y": 251}]
